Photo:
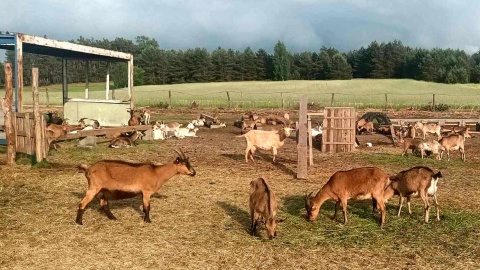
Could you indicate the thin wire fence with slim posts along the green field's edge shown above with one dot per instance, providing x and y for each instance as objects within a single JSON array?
[{"x": 257, "y": 100}]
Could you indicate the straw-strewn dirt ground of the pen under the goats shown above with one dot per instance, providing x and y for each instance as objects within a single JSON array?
[{"x": 202, "y": 222}]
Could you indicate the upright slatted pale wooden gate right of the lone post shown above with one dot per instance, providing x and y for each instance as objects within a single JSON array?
[{"x": 338, "y": 129}]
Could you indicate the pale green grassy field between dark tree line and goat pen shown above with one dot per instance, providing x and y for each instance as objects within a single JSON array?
[{"x": 360, "y": 93}]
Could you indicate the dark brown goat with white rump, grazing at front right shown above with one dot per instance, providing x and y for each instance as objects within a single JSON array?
[{"x": 418, "y": 181}]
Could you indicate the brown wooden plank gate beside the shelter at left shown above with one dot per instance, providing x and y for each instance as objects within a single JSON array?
[{"x": 24, "y": 124}]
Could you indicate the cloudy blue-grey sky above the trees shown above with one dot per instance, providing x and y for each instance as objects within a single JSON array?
[{"x": 302, "y": 25}]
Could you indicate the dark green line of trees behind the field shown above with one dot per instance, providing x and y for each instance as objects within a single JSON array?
[{"x": 154, "y": 65}]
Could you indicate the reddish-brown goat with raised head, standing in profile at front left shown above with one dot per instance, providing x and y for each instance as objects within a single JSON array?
[{"x": 115, "y": 179}]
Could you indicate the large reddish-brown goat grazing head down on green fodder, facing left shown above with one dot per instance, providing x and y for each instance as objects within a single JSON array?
[{"x": 360, "y": 183}]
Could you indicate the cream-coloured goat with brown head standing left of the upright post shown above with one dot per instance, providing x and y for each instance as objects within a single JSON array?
[{"x": 265, "y": 140}]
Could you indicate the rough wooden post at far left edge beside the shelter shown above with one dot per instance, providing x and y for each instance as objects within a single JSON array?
[{"x": 7, "y": 102}]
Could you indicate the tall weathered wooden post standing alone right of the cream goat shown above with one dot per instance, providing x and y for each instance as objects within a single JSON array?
[{"x": 302, "y": 170}]
